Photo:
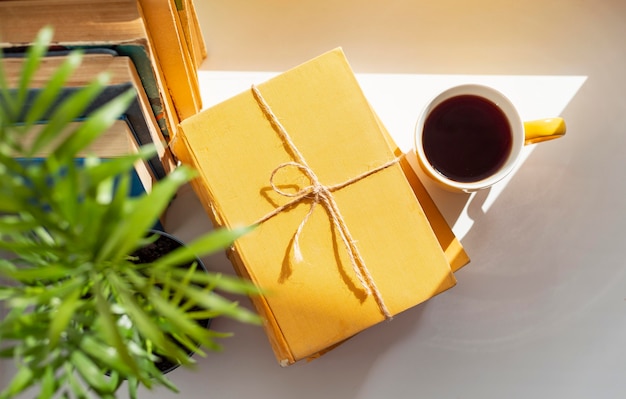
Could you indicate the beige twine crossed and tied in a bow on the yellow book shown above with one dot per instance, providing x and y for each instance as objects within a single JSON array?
[{"x": 319, "y": 193}]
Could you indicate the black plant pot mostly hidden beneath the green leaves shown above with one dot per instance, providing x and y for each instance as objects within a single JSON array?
[{"x": 164, "y": 244}]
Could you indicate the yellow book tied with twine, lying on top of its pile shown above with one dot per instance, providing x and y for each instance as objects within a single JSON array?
[{"x": 319, "y": 289}]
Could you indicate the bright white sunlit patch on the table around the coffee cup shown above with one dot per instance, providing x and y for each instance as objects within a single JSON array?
[{"x": 399, "y": 98}]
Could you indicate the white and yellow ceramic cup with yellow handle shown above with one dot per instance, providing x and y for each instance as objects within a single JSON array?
[{"x": 521, "y": 133}]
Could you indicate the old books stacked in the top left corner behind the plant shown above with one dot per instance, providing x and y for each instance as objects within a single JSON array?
[{"x": 153, "y": 46}]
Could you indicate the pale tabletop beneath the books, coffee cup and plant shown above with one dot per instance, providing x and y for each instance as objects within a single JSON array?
[{"x": 541, "y": 310}]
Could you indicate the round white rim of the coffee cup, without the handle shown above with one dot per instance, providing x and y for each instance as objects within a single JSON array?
[{"x": 502, "y": 102}]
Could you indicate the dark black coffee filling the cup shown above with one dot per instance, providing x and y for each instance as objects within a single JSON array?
[{"x": 467, "y": 138}]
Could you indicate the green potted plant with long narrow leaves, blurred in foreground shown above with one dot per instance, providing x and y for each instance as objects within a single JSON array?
[{"x": 82, "y": 318}]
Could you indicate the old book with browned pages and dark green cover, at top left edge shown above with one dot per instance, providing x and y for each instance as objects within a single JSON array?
[{"x": 114, "y": 24}]
